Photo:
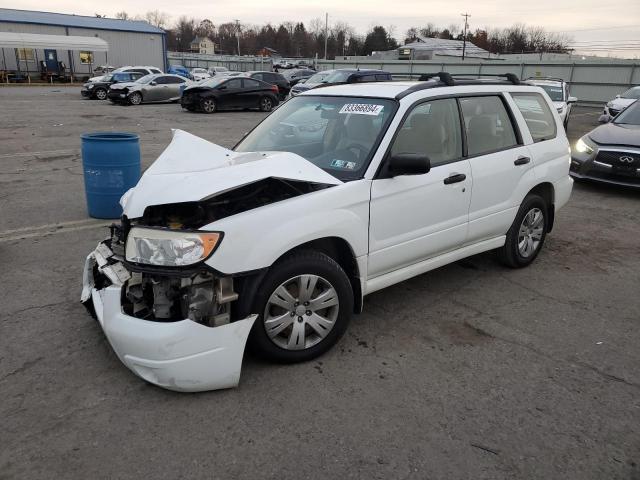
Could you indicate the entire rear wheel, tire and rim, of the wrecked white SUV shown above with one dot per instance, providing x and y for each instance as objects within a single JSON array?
[{"x": 527, "y": 233}]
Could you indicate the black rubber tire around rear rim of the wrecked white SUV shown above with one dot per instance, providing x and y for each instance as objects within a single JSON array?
[{"x": 511, "y": 254}]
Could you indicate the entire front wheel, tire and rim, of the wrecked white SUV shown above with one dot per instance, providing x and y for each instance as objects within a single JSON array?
[{"x": 305, "y": 304}]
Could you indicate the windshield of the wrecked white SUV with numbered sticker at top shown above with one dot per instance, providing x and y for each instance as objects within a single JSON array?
[{"x": 337, "y": 134}]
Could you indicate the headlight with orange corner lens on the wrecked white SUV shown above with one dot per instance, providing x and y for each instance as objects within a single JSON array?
[{"x": 169, "y": 248}]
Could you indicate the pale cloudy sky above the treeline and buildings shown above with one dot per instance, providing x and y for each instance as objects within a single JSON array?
[{"x": 595, "y": 26}]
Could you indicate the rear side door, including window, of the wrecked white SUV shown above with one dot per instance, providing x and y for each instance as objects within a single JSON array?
[{"x": 500, "y": 164}]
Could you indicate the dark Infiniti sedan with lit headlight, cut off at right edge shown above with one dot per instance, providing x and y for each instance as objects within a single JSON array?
[{"x": 611, "y": 153}]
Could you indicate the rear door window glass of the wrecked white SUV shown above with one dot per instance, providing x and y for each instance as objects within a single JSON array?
[{"x": 487, "y": 125}]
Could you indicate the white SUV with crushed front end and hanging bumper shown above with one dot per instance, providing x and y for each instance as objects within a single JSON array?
[{"x": 340, "y": 192}]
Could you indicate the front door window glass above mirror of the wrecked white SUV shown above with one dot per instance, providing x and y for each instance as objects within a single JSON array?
[{"x": 431, "y": 129}]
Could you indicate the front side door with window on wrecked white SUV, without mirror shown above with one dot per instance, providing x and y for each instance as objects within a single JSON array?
[{"x": 415, "y": 217}]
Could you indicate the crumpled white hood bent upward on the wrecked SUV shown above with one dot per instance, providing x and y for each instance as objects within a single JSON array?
[{"x": 193, "y": 169}]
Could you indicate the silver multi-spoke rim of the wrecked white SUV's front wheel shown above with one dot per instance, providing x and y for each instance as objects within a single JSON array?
[{"x": 301, "y": 312}]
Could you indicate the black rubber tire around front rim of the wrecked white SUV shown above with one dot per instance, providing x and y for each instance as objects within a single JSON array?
[{"x": 304, "y": 262}]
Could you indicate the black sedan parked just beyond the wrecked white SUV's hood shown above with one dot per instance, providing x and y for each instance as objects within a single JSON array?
[{"x": 221, "y": 93}]
